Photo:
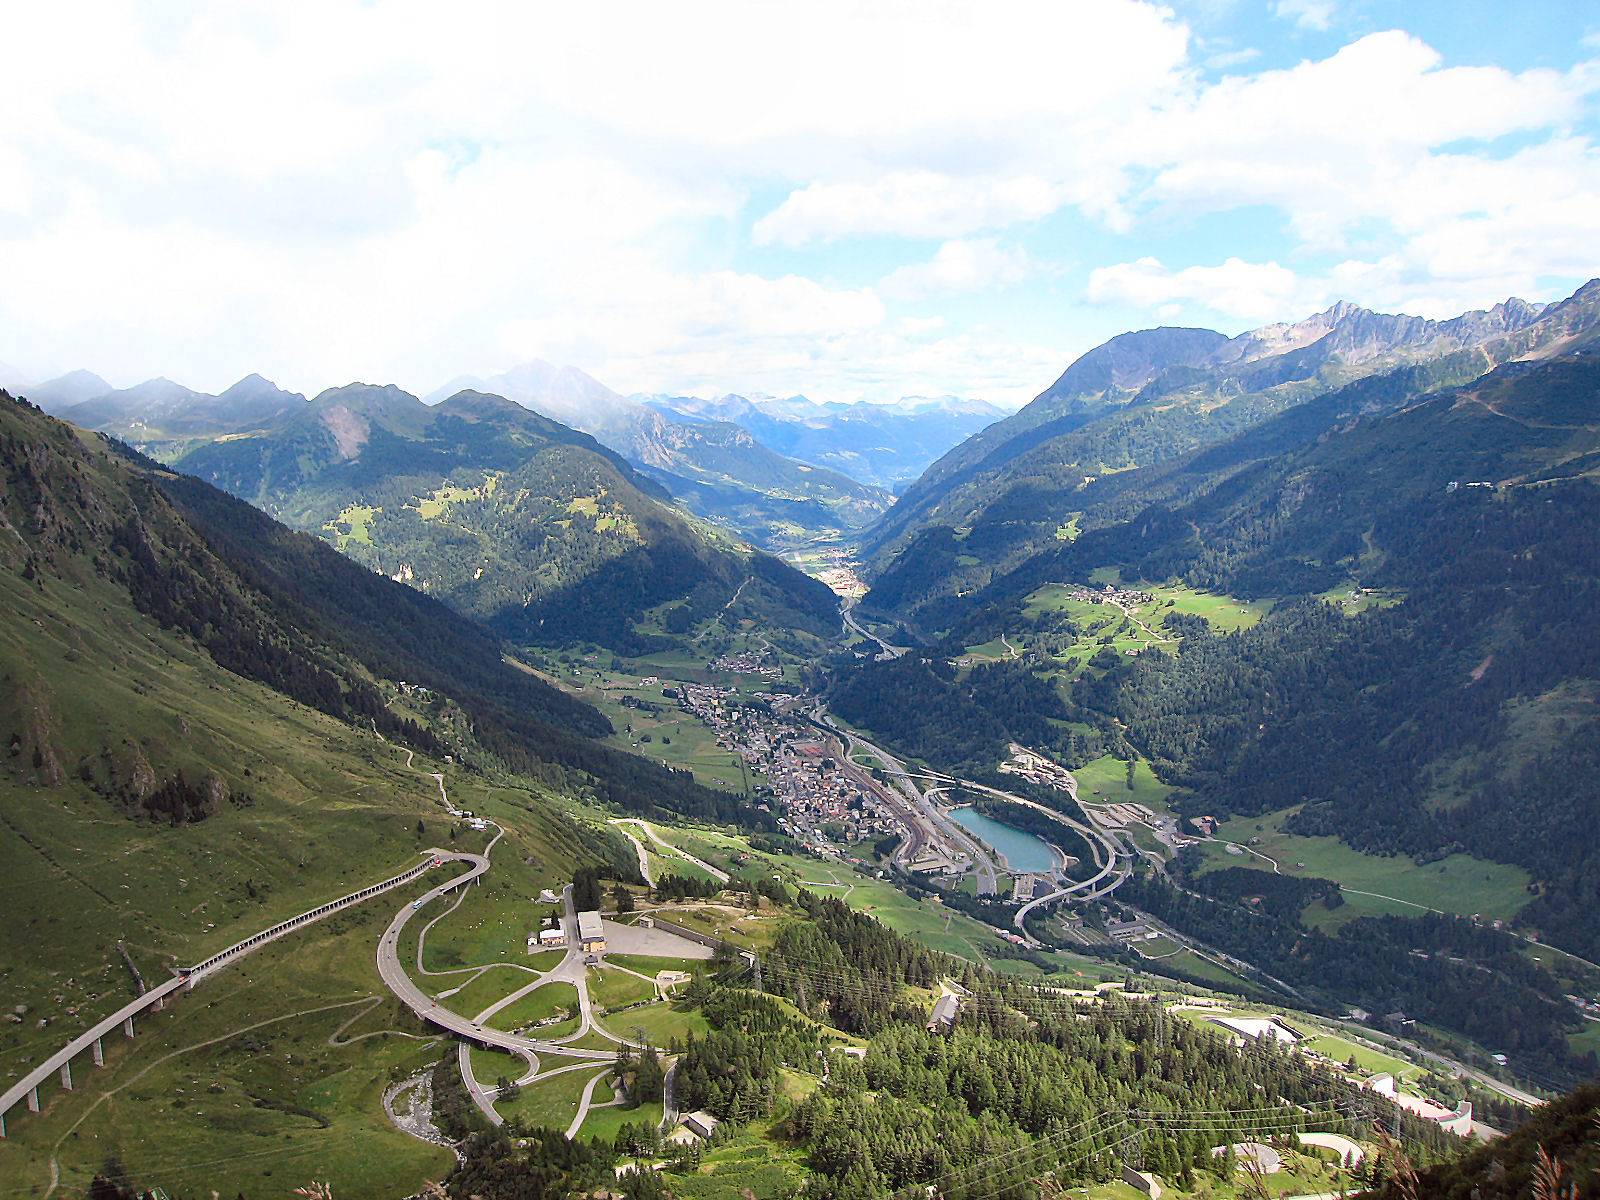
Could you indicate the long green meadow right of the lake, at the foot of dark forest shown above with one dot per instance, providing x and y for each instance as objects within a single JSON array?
[{"x": 1457, "y": 884}]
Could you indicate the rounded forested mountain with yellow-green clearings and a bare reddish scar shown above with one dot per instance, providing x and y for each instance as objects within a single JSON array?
[{"x": 508, "y": 516}]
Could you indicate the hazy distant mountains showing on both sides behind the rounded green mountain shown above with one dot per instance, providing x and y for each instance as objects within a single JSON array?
[{"x": 782, "y": 474}]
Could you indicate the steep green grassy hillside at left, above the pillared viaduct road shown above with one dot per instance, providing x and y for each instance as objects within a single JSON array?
[{"x": 322, "y": 812}]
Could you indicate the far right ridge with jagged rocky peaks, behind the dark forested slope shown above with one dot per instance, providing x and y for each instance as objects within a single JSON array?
[{"x": 1153, "y": 398}]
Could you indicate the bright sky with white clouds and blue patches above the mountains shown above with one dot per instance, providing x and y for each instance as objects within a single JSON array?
[{"x": 852, "y": 202}]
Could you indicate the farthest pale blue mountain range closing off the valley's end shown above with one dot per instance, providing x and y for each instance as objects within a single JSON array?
[{"x": 886, "y": 446}]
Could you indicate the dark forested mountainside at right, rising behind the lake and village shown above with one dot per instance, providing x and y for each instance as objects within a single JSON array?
[{"x": 1457, "y": 713}]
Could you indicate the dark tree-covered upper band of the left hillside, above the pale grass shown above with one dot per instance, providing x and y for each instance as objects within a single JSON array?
[{"x": 290, "y": 614}]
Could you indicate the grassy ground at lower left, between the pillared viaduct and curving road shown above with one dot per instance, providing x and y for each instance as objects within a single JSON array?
[{"x": 265, "y": 1078}]
